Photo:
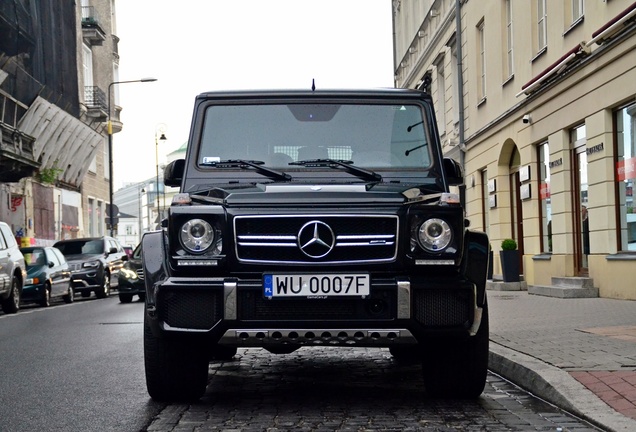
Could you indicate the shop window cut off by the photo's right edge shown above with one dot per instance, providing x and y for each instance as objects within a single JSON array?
[{"x": 626, "y": 176}]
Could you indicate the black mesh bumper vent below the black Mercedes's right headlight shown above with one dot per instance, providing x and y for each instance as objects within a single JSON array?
[{"x": 443, "y": 308}]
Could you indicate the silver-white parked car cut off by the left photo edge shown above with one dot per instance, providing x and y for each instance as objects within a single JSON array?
[{"x": 12, "y": 270}]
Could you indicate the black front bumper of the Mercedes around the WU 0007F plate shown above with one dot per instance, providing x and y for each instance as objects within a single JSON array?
[{"x": 235, "y": 312}]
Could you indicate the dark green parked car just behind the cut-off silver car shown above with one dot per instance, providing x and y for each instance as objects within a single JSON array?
[{"x": 48, "y": 276}]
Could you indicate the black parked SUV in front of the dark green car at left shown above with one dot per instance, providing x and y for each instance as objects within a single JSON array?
[{"x": 94, "y": 262}]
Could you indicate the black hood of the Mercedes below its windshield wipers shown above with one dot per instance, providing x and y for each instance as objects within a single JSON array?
[{"x": 317, "y": 193}]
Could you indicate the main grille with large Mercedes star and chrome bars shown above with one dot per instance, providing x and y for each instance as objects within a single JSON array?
[{"x": 306, "y": 239}]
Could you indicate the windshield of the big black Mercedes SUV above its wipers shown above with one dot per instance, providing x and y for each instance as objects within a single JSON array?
[{"x": 371, "y": 136}]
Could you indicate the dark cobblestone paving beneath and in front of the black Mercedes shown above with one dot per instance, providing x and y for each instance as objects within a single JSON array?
[{"x": 357, "y": 389}]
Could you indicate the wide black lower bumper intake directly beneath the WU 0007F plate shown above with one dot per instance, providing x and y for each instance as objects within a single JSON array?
[{"x": 254, "y": 307}]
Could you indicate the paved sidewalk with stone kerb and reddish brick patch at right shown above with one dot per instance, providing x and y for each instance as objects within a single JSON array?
[{"x": 579, "y": 354}]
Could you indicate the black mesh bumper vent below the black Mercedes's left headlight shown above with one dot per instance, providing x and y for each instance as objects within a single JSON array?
[{"x": 190, "y": 308}]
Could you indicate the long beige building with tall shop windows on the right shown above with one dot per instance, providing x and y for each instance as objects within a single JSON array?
[{"x": 546, "y": 126}]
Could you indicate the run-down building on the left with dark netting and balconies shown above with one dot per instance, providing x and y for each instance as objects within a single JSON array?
[{"x": 57, "y": 62}]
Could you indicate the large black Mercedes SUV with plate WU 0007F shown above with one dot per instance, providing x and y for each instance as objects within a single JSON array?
[{"x": 315, "y": 218}]
